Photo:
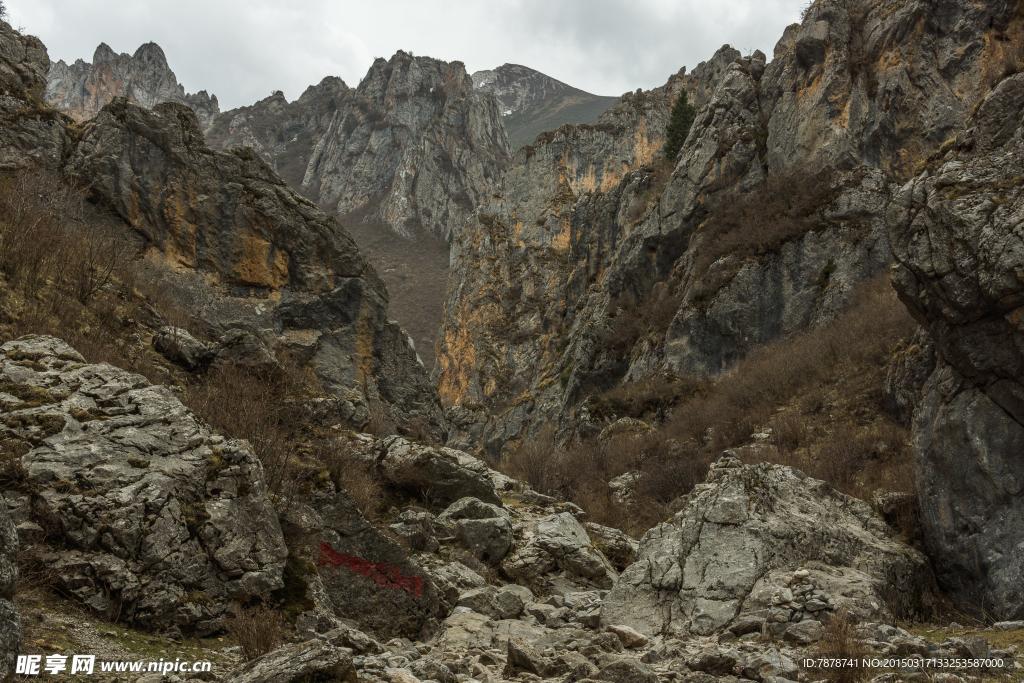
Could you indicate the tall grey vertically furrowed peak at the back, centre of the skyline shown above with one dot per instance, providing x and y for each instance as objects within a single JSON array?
[{"x": 413, "y": 146}]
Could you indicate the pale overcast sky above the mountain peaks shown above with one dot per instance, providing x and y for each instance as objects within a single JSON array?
[{"x": 242, "y": 52}]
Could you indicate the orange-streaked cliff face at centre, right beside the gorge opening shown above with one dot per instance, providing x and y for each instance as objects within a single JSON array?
[{"x": 525, "y": 263}]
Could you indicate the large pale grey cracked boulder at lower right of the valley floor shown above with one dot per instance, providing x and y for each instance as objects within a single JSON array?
[{"x": 726, "y": 554}]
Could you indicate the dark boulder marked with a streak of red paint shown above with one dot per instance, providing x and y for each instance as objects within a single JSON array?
[{"x": 363, "y": 575}]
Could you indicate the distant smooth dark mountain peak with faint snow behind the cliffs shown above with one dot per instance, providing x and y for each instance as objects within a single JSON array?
[{"x": 533, "y": 103}]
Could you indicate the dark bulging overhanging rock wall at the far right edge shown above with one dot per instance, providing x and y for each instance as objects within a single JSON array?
[{"x": 956, "y": 235}]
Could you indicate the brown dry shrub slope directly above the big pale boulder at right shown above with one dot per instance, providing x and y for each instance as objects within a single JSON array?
[{"x": 819, "y": 396}]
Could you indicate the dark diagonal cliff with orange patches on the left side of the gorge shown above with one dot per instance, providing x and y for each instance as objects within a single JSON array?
[{"x": 241, "y": 250}]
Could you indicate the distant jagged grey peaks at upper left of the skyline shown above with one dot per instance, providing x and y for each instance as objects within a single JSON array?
[{"x": 144, "y": 78}]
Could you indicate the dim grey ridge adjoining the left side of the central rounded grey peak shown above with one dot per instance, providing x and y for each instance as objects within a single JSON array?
[{"x": 283, "y": 134}]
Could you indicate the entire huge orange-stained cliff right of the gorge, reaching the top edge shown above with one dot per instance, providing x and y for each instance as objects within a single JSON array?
[{"x": 771, "y": 219}]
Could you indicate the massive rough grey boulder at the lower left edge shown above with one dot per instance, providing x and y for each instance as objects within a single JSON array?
[{"x": 154, "y": 520}]
